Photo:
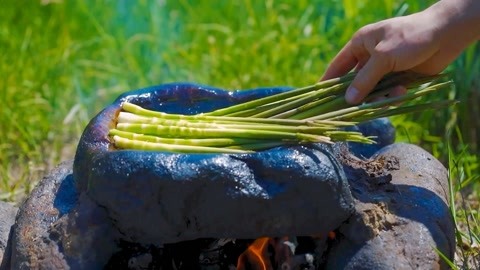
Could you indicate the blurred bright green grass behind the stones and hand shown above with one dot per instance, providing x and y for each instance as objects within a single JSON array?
[{"x": 63, "y": 61}]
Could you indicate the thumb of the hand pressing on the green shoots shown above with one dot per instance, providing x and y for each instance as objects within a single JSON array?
[{"x": 366, "y": 79}]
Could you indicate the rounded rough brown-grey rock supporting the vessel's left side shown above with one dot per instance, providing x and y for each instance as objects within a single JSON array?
[{"x": 58, "y": 228}]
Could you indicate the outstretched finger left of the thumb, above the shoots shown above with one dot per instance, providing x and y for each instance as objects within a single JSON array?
[{"x": 341, "y": 64}]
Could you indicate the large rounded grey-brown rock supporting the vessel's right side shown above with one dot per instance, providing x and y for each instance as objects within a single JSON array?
[{"x": 401, "y": 220}]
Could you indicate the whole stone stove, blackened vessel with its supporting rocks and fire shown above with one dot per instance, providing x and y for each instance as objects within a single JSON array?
[{"x": 347, "y": 206}]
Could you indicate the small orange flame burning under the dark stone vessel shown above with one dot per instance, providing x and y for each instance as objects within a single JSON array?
[{"x": 256, "y": 256}]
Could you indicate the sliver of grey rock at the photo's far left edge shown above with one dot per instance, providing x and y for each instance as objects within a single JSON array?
[{"x": 7, "y": 219}]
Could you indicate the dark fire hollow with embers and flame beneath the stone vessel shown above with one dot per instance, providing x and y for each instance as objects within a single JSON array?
[{"x": 264, "y": 253}]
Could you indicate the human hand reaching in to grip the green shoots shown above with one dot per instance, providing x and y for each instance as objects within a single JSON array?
[{"x": 424, "y": 42}]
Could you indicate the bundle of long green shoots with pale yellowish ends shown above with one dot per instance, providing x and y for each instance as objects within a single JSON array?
[{"x": 312, "y": 114}]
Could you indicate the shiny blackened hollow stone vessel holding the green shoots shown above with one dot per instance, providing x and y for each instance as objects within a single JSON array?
[{"x": 281, "y": 191}]
